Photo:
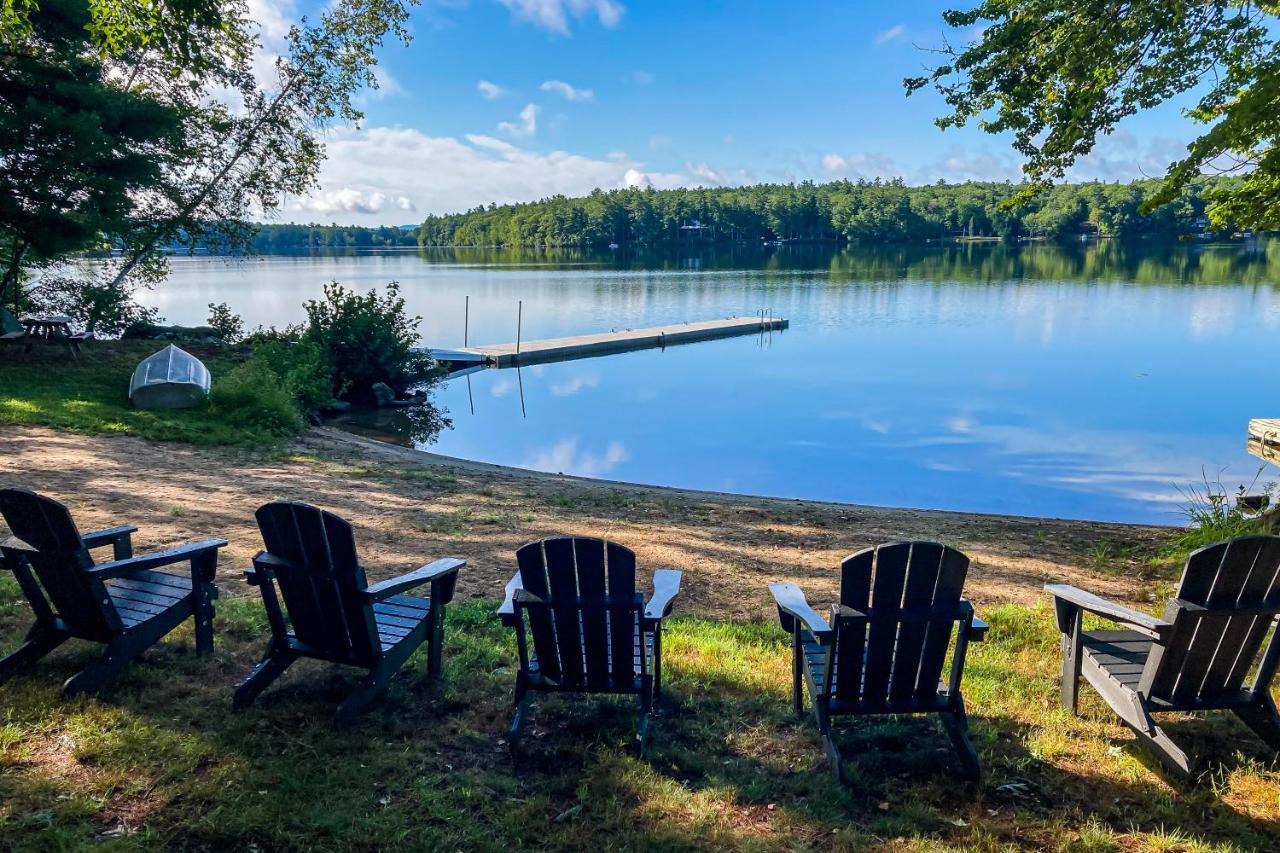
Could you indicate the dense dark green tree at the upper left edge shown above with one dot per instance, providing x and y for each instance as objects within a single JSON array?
[{"x": 76, "y": 149}]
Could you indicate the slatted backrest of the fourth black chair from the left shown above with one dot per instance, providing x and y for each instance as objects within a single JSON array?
[{"x": 912, "y": 592}]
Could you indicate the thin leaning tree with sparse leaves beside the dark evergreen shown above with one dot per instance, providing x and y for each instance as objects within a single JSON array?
[{"x": 248, "y": 153}]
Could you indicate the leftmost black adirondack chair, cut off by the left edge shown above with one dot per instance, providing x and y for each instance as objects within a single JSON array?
[{"x": 125, "y": 604}]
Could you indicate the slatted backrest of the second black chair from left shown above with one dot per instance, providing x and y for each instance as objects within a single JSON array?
[{"x": 322, "y": 582}]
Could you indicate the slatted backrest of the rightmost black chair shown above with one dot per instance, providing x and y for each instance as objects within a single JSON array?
[{"x": 1209, "y": 654}]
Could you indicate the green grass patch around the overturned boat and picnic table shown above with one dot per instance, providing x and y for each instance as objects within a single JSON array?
[{"x": 48, "y": 389}]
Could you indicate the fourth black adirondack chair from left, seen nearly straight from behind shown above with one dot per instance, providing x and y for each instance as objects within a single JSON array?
[{"x": 889, "y": 637}]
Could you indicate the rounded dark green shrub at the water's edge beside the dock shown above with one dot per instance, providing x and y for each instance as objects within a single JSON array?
[{"x": 369, "y": 339}]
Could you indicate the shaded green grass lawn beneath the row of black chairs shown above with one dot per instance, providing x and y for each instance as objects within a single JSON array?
[{"x": 164, "y": 764}]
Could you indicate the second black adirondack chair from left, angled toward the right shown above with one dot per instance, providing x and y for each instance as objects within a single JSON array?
[{"x": 333, "y": 614}]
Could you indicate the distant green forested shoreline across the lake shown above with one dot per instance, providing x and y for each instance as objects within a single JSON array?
[{"x": 842, "y": 212}]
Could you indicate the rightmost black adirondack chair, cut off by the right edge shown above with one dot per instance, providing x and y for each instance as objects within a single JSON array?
[{"x": 1213, "y": 637}]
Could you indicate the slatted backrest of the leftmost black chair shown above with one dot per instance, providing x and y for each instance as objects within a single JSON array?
[{"x": 60, "y": 562}]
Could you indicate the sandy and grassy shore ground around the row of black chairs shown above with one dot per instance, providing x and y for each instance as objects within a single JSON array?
[{"x": 163, "y": 763}]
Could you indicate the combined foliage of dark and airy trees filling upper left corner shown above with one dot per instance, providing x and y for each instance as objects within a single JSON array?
[{"x": 148, "y": 125}]
